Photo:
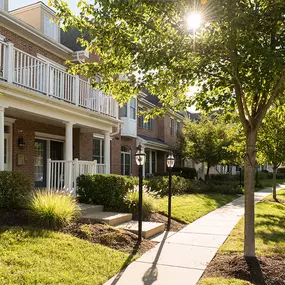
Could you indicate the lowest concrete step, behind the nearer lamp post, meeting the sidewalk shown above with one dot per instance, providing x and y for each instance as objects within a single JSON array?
[{"x": 149, "y": 229}]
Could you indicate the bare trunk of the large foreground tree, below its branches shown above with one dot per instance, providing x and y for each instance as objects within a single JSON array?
[{"x": 249, "y": 168}]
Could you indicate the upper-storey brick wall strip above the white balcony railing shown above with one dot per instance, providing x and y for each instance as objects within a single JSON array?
[{"x": 27, "y": 46}]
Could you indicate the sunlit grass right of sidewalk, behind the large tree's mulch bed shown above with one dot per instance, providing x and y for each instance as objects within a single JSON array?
[{"x": 269, "y": 229}]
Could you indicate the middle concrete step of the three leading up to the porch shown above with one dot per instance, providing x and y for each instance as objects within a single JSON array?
[{"x": 109, "y": 218}]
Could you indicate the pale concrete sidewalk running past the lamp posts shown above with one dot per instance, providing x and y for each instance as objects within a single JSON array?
[{"x": 181, "y": 258}]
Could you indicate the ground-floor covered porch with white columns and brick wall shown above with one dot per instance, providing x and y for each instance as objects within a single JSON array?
[{"x": 50, "y": 151}]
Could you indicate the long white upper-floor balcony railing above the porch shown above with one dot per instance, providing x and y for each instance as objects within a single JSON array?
[{"x": 26, "y": 71}]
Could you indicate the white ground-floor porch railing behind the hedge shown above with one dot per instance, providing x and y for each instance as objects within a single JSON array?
[{"x": 62, "y": 174}]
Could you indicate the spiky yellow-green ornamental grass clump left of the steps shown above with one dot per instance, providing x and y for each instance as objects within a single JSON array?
[{"x": 52, "y": 209}]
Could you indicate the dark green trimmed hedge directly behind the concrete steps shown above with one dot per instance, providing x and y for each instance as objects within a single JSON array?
[{"x": 106, "y": 190}]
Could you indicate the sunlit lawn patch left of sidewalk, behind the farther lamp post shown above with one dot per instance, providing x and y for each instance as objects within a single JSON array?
[{"x": 189, "y": 207}]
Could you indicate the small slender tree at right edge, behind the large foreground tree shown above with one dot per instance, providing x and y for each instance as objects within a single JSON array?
[{"x": 270, "y": 143}]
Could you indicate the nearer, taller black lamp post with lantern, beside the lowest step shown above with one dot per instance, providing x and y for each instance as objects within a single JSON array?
[{"x": 140, "y": 160}]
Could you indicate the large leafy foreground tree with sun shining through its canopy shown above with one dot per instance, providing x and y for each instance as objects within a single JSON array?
[{"x": 237, "y": 58}]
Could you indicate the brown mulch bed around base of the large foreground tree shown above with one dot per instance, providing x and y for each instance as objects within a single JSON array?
[{"x": 263, "y": 270}]
